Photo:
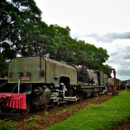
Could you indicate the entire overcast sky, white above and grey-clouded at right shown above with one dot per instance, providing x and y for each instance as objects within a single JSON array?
[{"x": 104, "y": 23}]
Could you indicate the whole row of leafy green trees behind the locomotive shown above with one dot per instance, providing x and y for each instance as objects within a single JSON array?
[{"x": 23, "y": 33}]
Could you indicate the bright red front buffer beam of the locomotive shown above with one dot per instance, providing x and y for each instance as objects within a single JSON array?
[{"x": 17, "y": 101}]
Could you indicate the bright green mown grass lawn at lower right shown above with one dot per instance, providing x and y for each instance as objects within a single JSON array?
[{"x": 99, "y": 117}]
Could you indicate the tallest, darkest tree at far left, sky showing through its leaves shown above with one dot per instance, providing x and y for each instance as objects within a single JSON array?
[{"x": 17, "y": 17}]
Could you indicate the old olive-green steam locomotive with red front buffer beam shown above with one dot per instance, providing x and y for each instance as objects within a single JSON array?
[{"x": 38, "y": 82}]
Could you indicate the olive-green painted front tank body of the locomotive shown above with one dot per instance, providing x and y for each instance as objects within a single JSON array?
[{"x": 53, "y": 70}]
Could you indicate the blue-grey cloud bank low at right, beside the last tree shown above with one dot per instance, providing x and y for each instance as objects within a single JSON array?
[{"x": 120, "y": 59}]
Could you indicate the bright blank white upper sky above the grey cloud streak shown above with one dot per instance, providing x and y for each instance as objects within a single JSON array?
[{"x": 91, "y": 16}]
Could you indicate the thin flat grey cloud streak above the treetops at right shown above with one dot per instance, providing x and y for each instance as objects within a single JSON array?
[{"x": 110, "y": 37}]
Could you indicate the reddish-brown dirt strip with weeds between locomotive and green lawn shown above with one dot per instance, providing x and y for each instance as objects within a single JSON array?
[{"x": 44, "y": 119}]
